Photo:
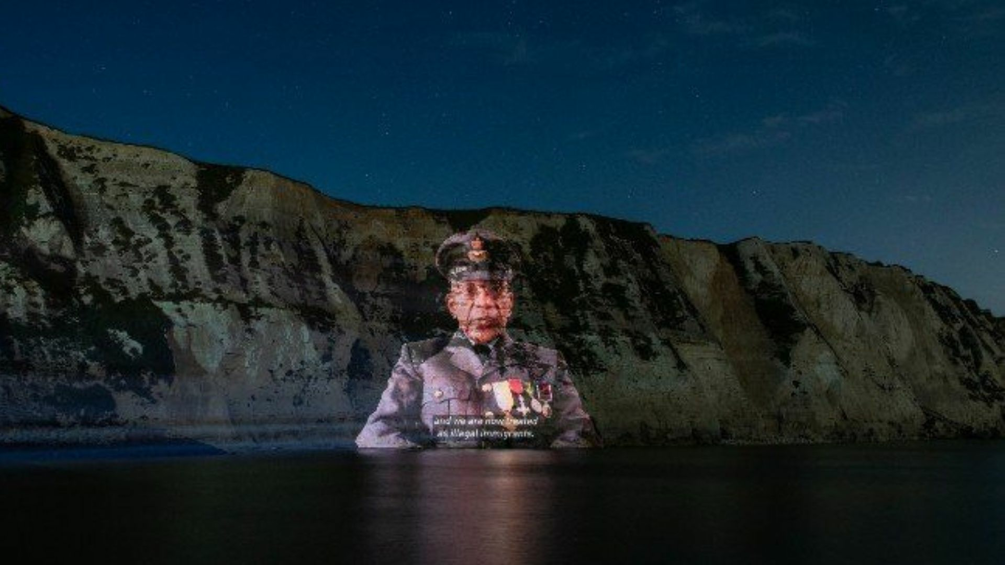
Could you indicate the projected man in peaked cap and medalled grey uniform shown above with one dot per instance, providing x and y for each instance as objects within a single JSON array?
[{"x": 479, "y": 388}]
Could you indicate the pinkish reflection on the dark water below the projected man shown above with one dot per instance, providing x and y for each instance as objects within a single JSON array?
[{"x": 453, "y": 506}]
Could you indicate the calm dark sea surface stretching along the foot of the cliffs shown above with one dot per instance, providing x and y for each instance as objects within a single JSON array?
[{"x": 917, "y": 503}]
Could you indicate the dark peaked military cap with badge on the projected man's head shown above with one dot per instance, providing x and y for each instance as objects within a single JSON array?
[{"x": 478, "y": 255}]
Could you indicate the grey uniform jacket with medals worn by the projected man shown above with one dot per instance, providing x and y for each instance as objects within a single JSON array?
[{"x": 444, "y": 378}]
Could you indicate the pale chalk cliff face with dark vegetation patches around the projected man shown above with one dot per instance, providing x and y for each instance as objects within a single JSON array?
[{"x": 143, "y": 295}]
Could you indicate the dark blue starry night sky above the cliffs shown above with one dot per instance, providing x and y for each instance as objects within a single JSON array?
[{"x": 874, "y": 128}]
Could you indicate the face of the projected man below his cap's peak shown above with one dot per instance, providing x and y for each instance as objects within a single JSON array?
[{"x": 482, "y": 308}]
